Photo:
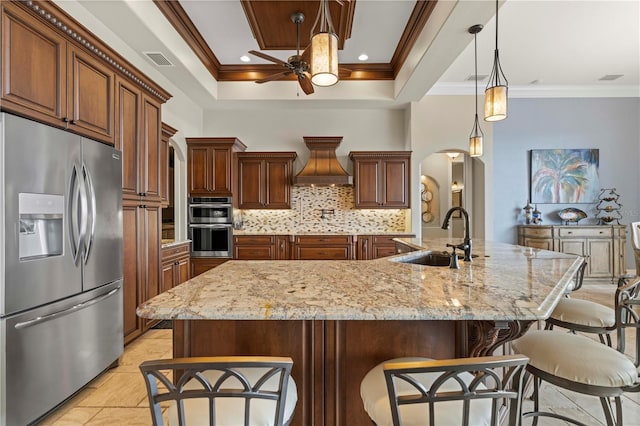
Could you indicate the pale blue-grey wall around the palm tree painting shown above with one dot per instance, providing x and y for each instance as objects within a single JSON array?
[{"x": 610, "y": 124}]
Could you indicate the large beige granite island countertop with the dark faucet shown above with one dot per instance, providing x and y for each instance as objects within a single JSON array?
[{"x": 505, "y": 282}]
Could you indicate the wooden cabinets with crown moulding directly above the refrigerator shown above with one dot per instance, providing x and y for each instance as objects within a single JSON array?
[{"x": 55, "y": 71}]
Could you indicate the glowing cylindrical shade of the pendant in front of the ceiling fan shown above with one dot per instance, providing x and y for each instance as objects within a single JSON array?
[{"x": 324, "y": 59}]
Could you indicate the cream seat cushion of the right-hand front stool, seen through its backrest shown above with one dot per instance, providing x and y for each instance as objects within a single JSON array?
[{"x": 373, "y": 390}]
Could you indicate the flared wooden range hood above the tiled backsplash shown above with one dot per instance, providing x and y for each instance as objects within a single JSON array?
[{"x": 323, "y": 167}]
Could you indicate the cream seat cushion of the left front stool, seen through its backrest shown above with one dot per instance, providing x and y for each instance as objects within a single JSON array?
[{"x": 230, "y": 411}]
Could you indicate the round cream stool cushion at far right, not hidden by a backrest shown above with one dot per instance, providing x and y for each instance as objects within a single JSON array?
[{"x": 576, "y": 358}]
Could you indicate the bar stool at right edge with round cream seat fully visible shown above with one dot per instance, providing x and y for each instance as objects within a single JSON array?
[{"x": 582, "y": 365}]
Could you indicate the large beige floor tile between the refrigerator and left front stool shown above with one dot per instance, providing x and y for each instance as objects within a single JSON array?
[{"x": 121, "y": 390}]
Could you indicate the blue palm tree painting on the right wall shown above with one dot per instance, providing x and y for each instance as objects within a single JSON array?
[{"x": 564, "y": 176}]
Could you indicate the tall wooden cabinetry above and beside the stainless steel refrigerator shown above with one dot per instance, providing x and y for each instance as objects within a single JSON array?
[{"x": 57, "y": 72}]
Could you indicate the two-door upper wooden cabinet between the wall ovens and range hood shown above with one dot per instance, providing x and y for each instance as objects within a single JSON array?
[{"x": 264, "y": 180}]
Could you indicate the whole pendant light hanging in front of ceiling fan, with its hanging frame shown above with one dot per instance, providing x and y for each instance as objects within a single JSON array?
[{"x": 324, "y": 49}]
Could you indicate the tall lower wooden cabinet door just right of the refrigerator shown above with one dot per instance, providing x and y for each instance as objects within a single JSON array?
[{"x": 141, "y": 248}]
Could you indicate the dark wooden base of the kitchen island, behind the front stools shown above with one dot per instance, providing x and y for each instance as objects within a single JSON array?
[{"x": 330, "y": 358}]
